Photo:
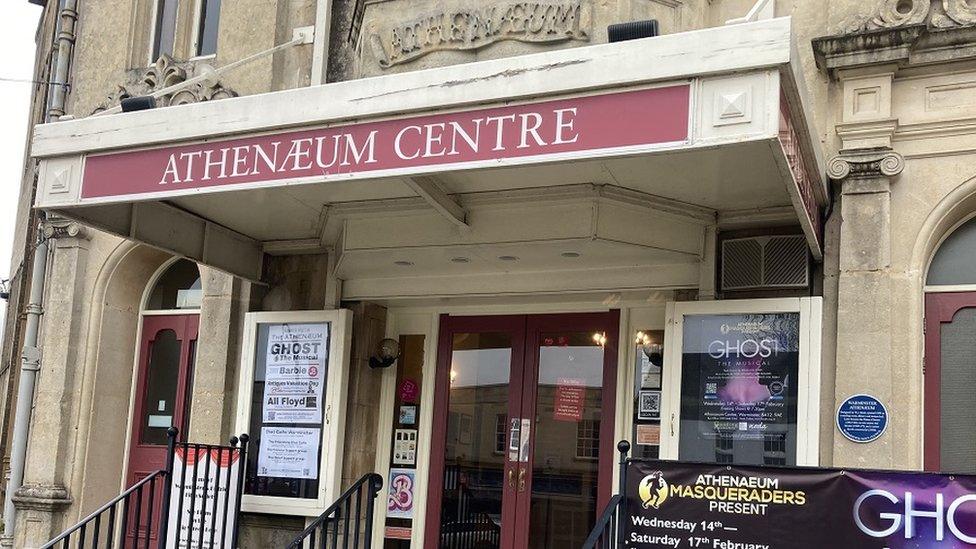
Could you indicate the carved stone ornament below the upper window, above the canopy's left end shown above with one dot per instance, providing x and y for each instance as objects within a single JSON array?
[{"x": 163, "y": 73}]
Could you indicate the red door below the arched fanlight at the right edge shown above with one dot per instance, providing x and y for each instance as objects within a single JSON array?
[{"x": 950, "y": 330}]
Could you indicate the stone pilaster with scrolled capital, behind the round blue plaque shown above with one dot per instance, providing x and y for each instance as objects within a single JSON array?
[{"x": 864, "y": 361}]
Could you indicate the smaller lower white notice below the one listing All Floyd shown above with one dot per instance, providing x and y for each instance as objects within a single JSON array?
[{"x": 289, "y": 452}]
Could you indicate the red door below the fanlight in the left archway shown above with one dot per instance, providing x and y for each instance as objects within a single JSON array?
[{"x": 166, "y": 356}]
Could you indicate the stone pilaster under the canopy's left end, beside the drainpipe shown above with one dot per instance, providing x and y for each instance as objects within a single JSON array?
[{"x": 44, "y": 496}]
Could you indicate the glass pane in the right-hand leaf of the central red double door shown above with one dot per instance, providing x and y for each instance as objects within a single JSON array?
[{"x": 566, "y": 432}]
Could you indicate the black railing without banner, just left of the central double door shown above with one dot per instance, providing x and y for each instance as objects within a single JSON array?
[{"x": 347, "y": 523}]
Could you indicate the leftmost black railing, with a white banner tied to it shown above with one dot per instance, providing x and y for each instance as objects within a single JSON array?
[{"x": 141, "y": 516}]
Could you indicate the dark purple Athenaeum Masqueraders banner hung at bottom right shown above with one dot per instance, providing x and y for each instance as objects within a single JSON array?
[{"x": 680, "y": 505}]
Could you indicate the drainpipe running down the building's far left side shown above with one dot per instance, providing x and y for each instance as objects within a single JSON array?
[{"x": 31, "y": 356}]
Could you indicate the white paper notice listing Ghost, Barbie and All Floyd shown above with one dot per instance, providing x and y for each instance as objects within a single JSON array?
[{"x": 295, "y": 373}]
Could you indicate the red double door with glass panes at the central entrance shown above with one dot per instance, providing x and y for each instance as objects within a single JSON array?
[{"x": 522, "y": 451}]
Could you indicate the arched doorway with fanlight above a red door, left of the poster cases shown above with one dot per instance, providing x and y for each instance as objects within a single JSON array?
[{"x": 170, "y": 319}]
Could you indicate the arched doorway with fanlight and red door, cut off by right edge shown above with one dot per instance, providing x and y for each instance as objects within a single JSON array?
[{"x": 950, "y": 353}]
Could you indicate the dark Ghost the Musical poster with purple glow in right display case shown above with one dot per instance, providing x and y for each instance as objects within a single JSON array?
[{"x": 738, "y": 387}]
